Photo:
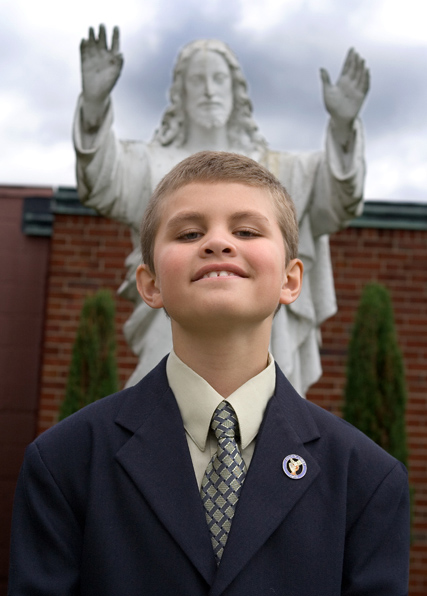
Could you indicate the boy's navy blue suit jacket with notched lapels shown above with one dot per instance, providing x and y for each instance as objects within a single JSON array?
[{"x": 107, "y": 504}]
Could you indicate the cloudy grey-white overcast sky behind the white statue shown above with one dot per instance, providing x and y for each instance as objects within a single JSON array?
[{"x": 281, "y": 45}]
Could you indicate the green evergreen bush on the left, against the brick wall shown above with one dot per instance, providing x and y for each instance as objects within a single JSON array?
[{"x": 93, "y": 369}]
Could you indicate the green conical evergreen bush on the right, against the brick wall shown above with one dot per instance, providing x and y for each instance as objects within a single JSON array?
[{"x": 375, "y": 393}]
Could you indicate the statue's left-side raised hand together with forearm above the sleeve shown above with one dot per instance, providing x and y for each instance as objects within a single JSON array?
[{"x": 101, "y": 67}]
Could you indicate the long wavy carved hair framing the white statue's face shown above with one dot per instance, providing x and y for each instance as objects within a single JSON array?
[{"x": 242, "y": 130}]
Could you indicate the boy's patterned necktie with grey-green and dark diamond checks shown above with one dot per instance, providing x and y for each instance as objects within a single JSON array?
[{"x": 223, "y": 478}]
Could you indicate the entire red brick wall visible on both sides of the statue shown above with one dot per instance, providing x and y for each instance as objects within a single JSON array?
[{"x": 89, "y": 252}]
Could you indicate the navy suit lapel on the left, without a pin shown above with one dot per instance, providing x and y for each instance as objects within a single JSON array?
[{"x": 157, "y": 460}]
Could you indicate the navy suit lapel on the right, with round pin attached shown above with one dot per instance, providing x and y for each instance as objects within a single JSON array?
[{"x": 268, "y": 494}]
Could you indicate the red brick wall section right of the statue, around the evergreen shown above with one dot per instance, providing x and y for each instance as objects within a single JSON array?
[{"x": 397, "y": 259}]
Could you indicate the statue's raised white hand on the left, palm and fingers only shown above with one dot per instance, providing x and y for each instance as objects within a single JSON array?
[{"x": 100, "y": 65}]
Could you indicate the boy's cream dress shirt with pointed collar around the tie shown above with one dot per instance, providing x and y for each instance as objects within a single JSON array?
[{"x": 197, "y": 402}]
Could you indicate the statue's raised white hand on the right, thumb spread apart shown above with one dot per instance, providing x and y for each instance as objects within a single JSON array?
[{"x": 344, "y": 100}]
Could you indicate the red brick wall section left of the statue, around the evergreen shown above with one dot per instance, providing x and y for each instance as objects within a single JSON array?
[{"x": 87, "y": 253}]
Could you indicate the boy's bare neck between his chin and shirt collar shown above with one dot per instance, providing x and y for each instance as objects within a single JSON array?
[{"x": 225, "y": 362}]
